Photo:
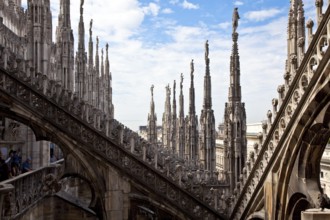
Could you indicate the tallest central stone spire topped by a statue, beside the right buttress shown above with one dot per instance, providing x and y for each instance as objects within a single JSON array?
[{"x": 234, "y": 116}]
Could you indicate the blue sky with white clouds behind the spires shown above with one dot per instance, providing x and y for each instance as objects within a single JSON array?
[{"x": 153, "y": 42}]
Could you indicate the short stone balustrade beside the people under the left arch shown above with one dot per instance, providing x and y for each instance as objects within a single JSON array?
[{"x": 22, "y": 192}]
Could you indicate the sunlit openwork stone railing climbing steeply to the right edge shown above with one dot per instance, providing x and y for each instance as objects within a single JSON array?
[{"x": 290, "y": 101}]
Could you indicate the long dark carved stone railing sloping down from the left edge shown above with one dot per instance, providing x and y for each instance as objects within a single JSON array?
[{"x": 108, "y": 139}]
